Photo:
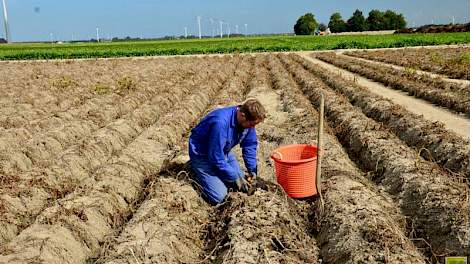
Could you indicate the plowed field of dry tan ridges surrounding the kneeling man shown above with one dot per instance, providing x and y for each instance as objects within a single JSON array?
[{"x": 93, "y": 166}]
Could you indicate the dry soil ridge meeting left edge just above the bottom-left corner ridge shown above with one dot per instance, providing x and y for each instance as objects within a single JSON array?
[{"x": 26, "y": 195}]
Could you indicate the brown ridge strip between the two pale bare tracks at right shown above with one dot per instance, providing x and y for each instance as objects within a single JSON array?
[{"x": 435, "y": 91}]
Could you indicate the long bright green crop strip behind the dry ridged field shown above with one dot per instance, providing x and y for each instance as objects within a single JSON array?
[{"x": 25, "y": 51}]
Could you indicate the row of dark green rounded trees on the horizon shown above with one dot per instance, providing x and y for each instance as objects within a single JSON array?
[{"x": 377, "y": 20}]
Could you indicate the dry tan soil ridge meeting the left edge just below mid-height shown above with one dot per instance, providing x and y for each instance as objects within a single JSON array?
[{"x": 33, "y": 144}]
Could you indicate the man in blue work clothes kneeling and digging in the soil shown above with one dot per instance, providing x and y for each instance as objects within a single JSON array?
[{"x": 210, "y": 146}]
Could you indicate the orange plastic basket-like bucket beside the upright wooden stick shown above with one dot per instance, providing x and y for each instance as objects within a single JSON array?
[{"x": 296, "y": 167}]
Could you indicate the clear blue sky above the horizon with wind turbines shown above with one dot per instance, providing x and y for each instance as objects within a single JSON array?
[{"x": 41, "y": 20}]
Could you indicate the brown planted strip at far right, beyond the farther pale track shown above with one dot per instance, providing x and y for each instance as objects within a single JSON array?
[{"x": 434, "y": 60}]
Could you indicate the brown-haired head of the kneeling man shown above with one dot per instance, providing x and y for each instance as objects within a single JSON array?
[{"x": 250, "y": 113}]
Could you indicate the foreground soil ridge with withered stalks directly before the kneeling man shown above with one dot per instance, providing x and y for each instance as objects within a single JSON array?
[{"x": 261, "y": 229}]
